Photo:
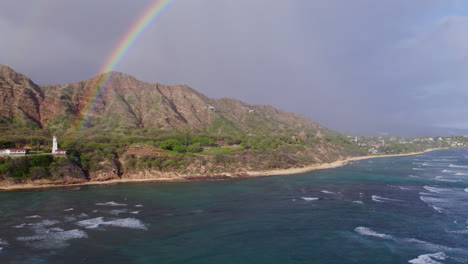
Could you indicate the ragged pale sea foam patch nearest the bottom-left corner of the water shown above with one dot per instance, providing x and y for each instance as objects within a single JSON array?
[{"x": 52, "y": 238}]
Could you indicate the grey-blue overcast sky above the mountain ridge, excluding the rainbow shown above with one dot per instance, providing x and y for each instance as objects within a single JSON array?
[{"x": 365, "y": 67}]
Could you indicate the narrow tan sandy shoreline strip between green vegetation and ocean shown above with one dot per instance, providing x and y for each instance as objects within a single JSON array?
[{"x": 185, "y": 178}]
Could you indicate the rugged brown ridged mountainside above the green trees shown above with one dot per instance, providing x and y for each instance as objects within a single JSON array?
[{"x": 127, "y": 102}]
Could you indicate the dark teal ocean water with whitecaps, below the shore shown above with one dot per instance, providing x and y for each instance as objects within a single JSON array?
[{"x": 386, "y": 210}]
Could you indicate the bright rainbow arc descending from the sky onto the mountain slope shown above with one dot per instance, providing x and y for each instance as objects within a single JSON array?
[{"x": 119, "y": 52}]
